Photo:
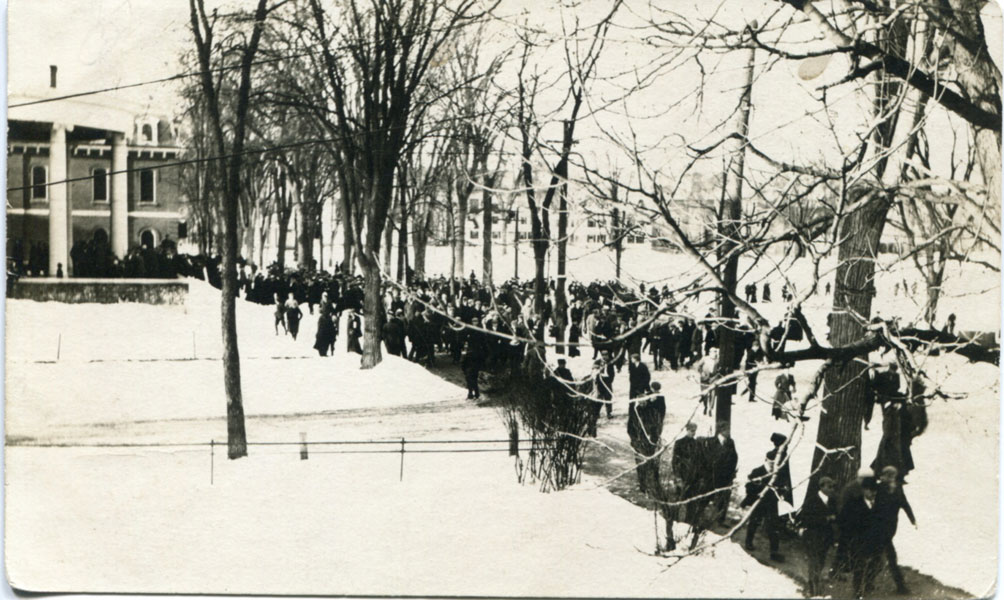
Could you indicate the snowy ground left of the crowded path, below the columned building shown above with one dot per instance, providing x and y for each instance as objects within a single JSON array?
[{"x": 105, "y": 519}]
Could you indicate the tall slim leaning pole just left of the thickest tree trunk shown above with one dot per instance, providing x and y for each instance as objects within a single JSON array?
[{"x": 729, "y": 231}]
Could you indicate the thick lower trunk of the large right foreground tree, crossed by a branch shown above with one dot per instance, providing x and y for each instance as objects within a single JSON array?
[{"x": 846, "y": 384}]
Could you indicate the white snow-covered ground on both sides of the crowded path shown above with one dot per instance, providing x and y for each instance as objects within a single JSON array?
[{"x": 105, "y": 519}]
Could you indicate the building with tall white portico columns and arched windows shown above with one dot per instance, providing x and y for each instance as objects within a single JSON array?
[{"x": 88, "y": 169}]
